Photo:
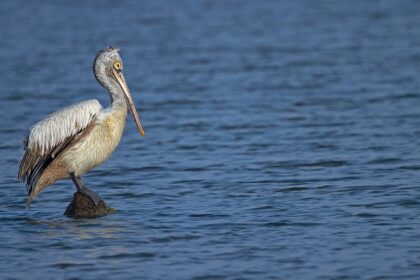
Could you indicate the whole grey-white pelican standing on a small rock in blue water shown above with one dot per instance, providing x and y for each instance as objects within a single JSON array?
[{"x": 70, "y": 142}]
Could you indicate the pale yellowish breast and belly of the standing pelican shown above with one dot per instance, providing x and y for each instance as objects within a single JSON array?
[{"x": 98, "y": 145}]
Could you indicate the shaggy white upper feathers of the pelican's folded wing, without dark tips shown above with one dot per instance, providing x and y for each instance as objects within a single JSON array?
[{"x": 58, "y": 126}]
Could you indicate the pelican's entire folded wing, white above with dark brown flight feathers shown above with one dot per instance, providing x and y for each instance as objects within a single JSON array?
[{"x": 50, "y": 136}]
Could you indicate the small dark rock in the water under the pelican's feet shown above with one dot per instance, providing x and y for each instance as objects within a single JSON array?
[{"x": 82, "y": 206}]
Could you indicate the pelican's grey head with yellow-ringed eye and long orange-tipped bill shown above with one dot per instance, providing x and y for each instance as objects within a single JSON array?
[{"x": 107, "y": 69}]
